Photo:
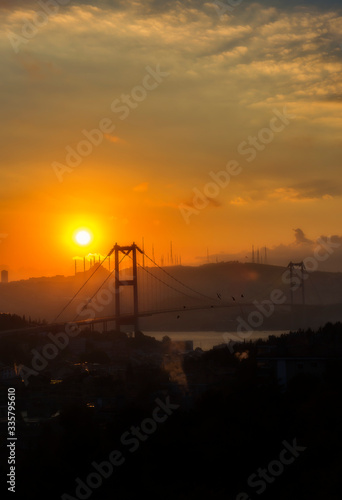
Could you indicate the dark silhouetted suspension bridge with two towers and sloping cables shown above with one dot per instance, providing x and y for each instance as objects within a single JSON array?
[{"x": 125, "y": 294}]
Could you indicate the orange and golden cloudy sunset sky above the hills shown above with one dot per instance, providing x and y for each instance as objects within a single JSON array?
[{"x": 212, "y": 125}]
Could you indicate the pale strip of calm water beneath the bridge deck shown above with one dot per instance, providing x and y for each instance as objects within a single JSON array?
[{"x": 207, "y": 340}]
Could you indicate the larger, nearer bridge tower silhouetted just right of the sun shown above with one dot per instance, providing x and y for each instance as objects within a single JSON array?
[{"x": 134, "y": 319}]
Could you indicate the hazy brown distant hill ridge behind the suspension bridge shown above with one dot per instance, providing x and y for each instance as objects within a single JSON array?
[{"x": 236, "y": 285}]
